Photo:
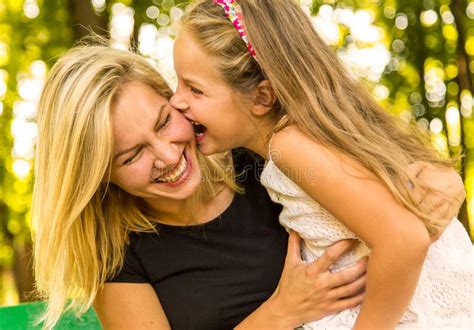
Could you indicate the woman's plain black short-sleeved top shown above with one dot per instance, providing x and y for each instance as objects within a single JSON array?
[{"x": 212, "y": 276}]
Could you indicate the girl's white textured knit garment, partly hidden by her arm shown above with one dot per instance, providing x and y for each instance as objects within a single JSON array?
[{"x": 444, "y": 295}]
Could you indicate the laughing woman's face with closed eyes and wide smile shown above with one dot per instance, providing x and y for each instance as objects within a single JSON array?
[{"x": 154, "y": 153}]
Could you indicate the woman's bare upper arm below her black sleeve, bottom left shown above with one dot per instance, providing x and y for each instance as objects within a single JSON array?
[{"x": 131, "y": 306}]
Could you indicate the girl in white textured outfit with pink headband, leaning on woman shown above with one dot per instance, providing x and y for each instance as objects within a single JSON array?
[{"x": 336, "y": 160}]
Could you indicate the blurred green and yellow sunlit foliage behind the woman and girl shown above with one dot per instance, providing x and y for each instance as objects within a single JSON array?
[{"x": 428, "y": 74}]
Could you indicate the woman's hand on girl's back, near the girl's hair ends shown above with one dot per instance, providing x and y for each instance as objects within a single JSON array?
[{"x": 437, "y": 204}]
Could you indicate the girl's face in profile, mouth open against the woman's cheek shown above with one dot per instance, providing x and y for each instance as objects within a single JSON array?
[{"x": 205, "y": 99}]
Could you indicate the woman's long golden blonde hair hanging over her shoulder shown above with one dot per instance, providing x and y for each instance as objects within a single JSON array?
[{"x": 80, "y": 222}]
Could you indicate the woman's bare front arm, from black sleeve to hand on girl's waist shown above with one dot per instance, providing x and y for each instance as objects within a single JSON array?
[{"x": 306, "y": 292}]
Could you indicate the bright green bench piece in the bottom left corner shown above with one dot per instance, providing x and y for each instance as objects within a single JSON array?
[{"x": 21, "y": 317}]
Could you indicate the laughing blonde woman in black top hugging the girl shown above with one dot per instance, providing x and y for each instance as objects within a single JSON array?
[{"x": 128, "y": 216}]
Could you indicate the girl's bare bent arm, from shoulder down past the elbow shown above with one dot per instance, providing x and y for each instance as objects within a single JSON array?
[{"x": 398, "y": 239}]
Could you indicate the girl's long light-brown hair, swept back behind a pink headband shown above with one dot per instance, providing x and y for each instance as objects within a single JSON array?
[{"x": 314, "y": 91}]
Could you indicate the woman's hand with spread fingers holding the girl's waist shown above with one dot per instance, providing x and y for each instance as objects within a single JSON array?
[{"x": 309, "y": 292}]
